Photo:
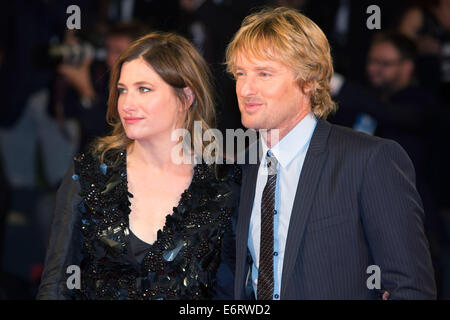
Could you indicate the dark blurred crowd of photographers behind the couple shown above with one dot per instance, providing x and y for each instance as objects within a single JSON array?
[{"x": 392, "y": 82}]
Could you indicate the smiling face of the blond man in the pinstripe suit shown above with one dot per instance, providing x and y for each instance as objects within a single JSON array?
[{"x": 268, "y": 94}]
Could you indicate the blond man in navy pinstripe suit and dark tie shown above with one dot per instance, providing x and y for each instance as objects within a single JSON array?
[{"x": 324, "y": 204}]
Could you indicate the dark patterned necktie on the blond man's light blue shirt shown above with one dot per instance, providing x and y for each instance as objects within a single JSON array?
[{"x": 265, "y": 272}]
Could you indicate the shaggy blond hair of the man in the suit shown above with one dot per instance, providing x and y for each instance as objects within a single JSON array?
[{"x": 289, "y": 37}]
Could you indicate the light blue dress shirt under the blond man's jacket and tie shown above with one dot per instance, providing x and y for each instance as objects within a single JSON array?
[{"x": 290, "y": 153}]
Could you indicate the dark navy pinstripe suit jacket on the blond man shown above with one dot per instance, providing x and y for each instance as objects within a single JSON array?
[{"x": 356, "y": 205}]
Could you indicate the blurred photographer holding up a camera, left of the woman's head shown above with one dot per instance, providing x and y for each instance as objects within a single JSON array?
[{"x": 83, "y": 92}]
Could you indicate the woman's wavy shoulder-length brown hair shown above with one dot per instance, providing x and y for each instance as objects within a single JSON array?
[{"x": 179, "y": 64}]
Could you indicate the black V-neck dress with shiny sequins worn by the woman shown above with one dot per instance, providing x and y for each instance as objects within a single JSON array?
[{"x": 192, "y": 258}]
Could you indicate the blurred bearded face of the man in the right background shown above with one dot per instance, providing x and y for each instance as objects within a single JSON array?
[{"x": 384, "y": 66}]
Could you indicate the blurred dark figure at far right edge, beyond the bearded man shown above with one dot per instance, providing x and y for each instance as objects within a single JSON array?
[{"x": 427, "y": 23}]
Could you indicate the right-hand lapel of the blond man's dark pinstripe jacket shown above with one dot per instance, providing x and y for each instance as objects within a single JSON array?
[{"x": 306, "y": 188}]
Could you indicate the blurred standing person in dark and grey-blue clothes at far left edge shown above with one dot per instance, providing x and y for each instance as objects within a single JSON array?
[{"x": 34, "y": 152}]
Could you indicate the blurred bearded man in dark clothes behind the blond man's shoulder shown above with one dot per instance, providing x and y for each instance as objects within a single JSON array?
[{"x": 395, "y": 106}]
